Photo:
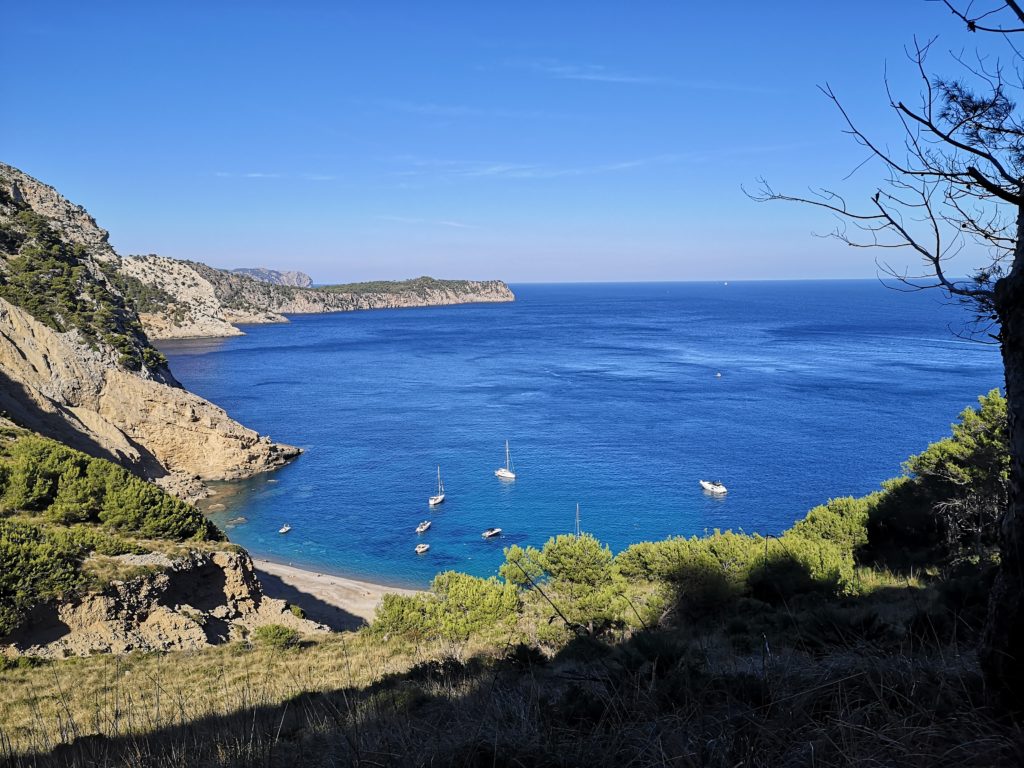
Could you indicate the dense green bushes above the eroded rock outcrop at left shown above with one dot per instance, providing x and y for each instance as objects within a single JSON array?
[{"x": 58, "y": 506}]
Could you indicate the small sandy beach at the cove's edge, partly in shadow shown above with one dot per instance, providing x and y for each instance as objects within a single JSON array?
[{"x": 342, "y": 604}]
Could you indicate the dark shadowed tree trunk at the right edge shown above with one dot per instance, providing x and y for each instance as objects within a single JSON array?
[{"x": 1003, "y": 645}]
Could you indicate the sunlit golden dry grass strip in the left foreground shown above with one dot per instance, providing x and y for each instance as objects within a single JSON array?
[{"x": 45, "y": 707}]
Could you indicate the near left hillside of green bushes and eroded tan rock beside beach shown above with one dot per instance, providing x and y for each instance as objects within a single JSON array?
[{"x": 98, "y": 561}]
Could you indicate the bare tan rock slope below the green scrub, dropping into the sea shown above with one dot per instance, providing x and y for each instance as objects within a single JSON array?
[{"x": 62, "y": 389}]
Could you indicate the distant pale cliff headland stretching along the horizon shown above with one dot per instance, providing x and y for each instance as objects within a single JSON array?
[{"x": 187, "y": 300}]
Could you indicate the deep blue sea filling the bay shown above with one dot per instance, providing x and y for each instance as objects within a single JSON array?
[{"x": 609, "y": 397}]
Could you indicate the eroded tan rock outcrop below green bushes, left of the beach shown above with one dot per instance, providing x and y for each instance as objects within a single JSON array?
[{"x": 192, "y": 602}]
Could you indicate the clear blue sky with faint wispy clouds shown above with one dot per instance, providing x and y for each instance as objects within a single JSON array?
[{"x": 529, "y": 142}]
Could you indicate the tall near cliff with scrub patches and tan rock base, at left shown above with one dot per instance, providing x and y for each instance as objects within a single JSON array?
[{"x": 75, "y": 365}]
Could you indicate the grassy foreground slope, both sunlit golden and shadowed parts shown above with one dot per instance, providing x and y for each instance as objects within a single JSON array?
[{"x": 658, "y": 699}]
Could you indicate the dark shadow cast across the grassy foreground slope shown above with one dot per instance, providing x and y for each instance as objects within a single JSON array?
[{"x": 690, "y": 697}]
